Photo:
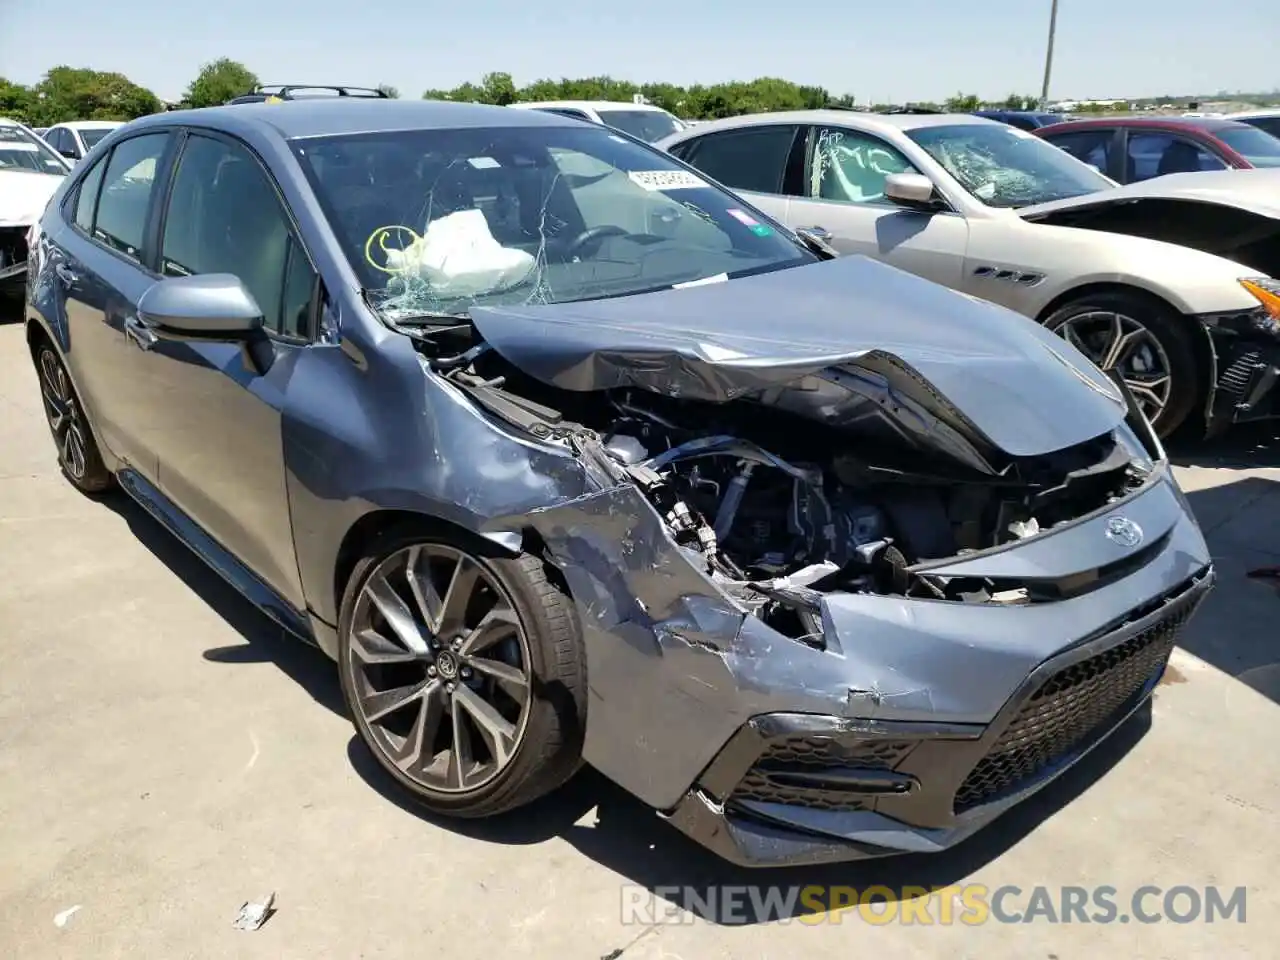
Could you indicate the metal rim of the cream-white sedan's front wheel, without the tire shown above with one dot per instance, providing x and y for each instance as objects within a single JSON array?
[{"x": 1118, "y": 342}]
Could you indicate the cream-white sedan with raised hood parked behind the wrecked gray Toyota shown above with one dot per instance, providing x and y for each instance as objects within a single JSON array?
[{"x": 1171, "y": 282}]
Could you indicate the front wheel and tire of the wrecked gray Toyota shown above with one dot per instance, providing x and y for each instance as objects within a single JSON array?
[{"x": 464, "y": 673}]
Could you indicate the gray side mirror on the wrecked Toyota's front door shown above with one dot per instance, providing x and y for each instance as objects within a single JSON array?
[{"x": 205, "y": 308}]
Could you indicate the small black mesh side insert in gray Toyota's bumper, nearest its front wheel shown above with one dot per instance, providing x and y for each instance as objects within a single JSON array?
[{"x": 813, "y": 755}]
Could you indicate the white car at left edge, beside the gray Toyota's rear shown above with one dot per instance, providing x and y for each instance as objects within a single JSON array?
[{"x": 30, "y": 173}]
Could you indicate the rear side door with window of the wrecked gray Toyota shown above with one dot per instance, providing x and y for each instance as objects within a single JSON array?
[{"x": 102, "y": 268}]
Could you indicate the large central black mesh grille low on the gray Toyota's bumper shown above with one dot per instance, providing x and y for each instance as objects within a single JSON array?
[{"x": 1071, "y": 710}]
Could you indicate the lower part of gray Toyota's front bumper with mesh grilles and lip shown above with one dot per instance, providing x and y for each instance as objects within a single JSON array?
[{"x": 801, "y": 789}]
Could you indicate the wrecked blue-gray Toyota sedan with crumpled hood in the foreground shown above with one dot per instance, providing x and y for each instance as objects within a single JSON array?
[{"x": 566, "y": 455}]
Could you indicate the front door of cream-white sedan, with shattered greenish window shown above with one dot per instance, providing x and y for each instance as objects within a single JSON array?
[{"x": 845, "y": 198}]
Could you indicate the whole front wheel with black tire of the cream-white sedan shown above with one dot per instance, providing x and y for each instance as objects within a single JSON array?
[{"x": 1146, "y": 341}]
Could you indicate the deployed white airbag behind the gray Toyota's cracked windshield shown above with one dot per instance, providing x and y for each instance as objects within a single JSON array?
[{"x": 459, "y": 258}]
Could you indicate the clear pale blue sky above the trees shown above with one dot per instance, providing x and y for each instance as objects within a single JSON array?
[{"x": 880, "y": 52}]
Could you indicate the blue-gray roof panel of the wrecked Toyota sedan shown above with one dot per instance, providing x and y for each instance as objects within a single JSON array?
[{"x": 326, "y": 117}]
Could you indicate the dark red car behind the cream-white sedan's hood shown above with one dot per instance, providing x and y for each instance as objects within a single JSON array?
[{"x": 1131, "y": 149}]
